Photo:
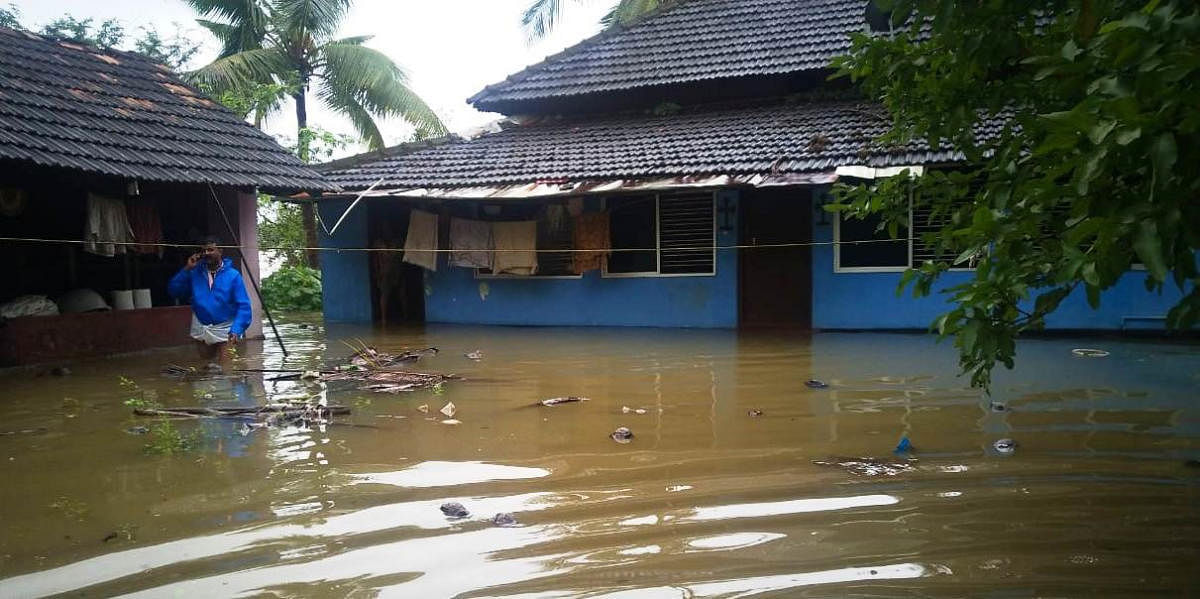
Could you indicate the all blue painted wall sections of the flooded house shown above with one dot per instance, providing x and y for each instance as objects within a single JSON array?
[{"x": 841, "y": 301}]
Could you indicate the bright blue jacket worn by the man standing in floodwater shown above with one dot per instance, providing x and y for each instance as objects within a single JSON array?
[{"x": 226, "y": 302}]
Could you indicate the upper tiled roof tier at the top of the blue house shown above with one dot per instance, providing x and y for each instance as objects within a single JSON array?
[{"x": 695, "y": 40}]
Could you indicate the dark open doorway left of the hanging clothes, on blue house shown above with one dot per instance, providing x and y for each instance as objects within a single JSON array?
[{"x": 398, "y": 289}]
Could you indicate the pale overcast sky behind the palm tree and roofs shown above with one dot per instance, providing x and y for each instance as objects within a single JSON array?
[{"x": 451, "y": 49}]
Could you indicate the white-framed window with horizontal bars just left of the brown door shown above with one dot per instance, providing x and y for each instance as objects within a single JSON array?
[{"x": 663, "y": 236}]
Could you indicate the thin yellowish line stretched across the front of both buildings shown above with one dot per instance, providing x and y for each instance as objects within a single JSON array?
[{"x": 194, "y": 247}]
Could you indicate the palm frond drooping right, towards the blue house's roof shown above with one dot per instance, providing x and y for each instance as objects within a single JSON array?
[{"x": 375, "y": 83}]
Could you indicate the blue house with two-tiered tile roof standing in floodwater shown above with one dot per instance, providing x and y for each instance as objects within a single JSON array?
[{"x": 667, "y": 175}]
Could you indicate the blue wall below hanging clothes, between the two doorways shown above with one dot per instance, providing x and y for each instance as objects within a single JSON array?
[{"x": 455, "y": 296}]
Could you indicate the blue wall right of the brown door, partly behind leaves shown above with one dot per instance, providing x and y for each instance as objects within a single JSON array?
[{"x": 869, "y": 301}]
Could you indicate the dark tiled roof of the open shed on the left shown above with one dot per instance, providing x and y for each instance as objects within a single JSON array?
[{"x": 118, "y": 113}]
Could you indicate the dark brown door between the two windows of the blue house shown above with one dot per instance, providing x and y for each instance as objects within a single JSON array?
[{"x": 776, "y": 284}]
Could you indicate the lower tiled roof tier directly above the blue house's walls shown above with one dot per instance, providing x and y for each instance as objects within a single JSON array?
[{"x": 777, "y": 139}]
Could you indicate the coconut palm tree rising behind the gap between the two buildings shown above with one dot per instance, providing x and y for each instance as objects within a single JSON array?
[{"x": 291, "y": 45}]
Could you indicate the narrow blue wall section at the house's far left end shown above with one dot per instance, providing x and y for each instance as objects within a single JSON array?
[{"x": 346, "y": 277}]
